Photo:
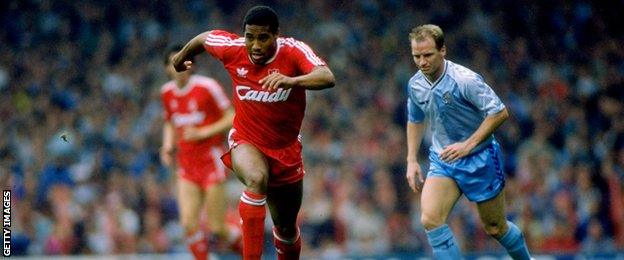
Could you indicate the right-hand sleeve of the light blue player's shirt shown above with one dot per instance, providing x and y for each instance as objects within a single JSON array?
[{"x": 481, "y": 95}]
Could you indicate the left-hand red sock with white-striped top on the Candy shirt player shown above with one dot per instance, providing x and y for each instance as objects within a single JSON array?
[{"x": 252, "y": 212}]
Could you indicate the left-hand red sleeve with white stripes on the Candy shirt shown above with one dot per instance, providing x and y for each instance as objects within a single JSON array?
[{"x": 218, "y": 43}]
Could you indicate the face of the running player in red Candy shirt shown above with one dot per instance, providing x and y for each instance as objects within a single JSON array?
[{"x": 260, "y": 43}]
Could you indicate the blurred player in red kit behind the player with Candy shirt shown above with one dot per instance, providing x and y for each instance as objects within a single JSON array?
[{"x": 197, "y": 114}]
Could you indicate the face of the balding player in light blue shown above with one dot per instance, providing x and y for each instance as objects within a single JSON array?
[{"x": 427, "y": 57}]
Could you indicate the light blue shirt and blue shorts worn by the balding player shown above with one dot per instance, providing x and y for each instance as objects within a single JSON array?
[{"x": 455, "y": 106}]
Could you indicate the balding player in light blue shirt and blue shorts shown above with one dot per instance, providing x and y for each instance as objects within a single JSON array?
[{"x": 463, "y": 112}]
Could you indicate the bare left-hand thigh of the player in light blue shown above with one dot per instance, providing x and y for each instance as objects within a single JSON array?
[{"x": 439, "y": 195}]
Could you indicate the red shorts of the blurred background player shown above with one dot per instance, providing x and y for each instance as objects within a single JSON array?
[{"x": 203, "y": 168}]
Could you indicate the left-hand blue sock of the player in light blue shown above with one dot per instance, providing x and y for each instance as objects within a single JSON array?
[{"x": 443, "y": 243}]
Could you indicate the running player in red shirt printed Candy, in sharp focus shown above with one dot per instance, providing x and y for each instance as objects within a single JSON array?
[{"x": 270, "y": 75}]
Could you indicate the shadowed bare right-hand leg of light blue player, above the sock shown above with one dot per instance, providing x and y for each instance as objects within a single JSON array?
[{"x": 492, "y": 214}]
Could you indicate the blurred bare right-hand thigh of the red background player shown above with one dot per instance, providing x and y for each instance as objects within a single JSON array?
[{"x": 216, "y": 206}]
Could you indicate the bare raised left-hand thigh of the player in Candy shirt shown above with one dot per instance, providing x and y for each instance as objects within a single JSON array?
[{"x": 251, "y": 167}]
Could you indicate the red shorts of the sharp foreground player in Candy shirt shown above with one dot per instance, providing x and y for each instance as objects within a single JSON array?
[{"x": 285, "y": 164}]
